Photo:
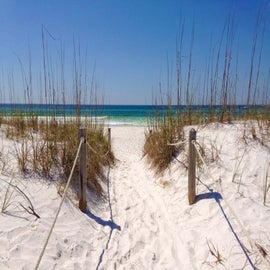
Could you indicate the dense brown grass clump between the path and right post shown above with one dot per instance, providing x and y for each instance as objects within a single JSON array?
[{"x": 162, "y": 132}]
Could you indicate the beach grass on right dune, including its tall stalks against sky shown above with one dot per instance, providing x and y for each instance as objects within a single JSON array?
[{"x": 218, "y": 97}]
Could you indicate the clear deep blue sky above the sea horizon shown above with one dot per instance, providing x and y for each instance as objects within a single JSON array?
[{"x": 130, "y": 45}]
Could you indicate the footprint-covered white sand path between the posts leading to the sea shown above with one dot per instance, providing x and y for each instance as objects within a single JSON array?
[{"x": 148, "y": 238}]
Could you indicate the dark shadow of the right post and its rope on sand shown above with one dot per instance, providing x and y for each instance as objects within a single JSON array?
[{"x": 217, "y": 197}]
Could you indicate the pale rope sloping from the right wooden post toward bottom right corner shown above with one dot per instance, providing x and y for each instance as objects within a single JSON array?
[{"x": 250, "y": 240}]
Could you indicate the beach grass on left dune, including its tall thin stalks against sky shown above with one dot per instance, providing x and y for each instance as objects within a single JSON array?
[{"x": 48, "y": 146}]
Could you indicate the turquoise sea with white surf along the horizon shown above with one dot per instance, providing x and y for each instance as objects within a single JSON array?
[{"x": 135, "y": 115}]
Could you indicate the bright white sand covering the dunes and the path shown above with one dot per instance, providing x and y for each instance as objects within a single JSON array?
[{"x": 146, "y": 222}]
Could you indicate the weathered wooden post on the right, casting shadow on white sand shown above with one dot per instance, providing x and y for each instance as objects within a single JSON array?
[{"x": 192, "y": 167}]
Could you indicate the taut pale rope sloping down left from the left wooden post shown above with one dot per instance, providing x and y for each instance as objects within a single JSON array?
[{"x": 60, "y": 206}]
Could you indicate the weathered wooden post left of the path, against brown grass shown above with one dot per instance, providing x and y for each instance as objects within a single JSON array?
[{"x": 83, "y": 171}]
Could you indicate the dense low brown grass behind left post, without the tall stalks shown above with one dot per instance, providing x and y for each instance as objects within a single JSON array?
[{"x": 50, "y": 147}]
